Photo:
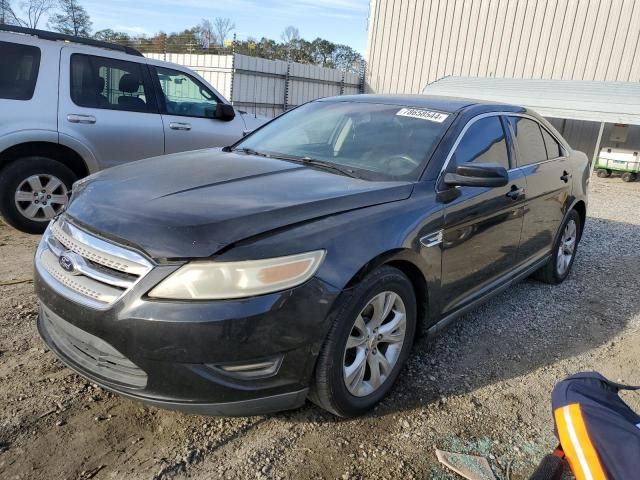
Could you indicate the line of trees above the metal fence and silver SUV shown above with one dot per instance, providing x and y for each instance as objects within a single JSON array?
[{"x": 209, "y": 36}]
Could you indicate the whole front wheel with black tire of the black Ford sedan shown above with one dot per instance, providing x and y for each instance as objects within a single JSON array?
[{"x": 329, "y": 389}]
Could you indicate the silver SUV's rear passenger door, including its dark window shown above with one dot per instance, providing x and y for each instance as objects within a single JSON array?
[{"x": 108, "y": 106}]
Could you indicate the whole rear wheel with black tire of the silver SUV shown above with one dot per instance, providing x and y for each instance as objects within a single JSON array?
[{"x": 18, "y": 179}]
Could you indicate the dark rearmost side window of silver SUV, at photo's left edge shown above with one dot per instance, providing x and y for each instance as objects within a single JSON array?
[{"x": 19, "y": 72}]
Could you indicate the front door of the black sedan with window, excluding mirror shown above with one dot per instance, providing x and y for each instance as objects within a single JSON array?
[{"x": 482, "y": 226}]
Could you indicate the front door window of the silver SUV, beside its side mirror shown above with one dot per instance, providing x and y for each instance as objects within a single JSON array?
[{"x": 184, "y": 95}]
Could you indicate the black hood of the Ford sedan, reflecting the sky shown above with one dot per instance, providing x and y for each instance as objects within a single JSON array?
[{"x": 194, "y": 204}]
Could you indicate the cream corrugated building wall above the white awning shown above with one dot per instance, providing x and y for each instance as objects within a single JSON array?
[{"x": 414, "y": 42}]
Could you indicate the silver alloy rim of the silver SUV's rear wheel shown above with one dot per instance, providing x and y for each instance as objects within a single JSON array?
[{"x": 41, "y": 197}]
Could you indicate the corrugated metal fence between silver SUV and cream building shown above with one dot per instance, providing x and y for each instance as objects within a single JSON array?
[{"x": 266, "y": 87}]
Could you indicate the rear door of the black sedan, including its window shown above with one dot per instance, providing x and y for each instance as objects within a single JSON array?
[{"x": 542, "y": 160}]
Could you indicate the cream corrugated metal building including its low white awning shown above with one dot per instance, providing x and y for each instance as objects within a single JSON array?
[{"x": 581, "y": 55}]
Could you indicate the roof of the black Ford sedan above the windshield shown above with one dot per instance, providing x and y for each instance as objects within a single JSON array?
[{"x": 443, "y": 104}]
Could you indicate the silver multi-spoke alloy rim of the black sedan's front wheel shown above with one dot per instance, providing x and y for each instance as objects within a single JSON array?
[{"x": 374, "y": 344}]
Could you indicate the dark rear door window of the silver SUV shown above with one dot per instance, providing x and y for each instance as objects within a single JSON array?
[{"x": 100, "y": 82}]
